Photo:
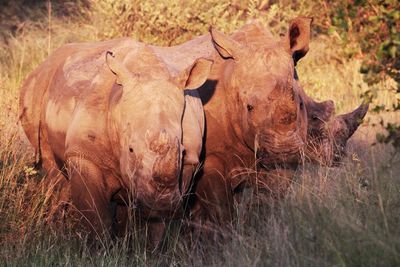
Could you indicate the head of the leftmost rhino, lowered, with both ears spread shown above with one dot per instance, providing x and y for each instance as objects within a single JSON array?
[{"x": 146, "y": 116}]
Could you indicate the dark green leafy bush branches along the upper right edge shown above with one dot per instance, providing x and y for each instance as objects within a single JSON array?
[{"x": 375, "y": 27}]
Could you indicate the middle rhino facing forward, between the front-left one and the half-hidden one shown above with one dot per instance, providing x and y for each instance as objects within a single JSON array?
[{"x": 253, "y": 112}]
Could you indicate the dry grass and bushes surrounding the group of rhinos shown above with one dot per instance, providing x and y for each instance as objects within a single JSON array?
[{"x": 332, "y": 216}]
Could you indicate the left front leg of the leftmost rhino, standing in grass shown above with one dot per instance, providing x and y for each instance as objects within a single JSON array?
[{"x": 90, "y": 199}]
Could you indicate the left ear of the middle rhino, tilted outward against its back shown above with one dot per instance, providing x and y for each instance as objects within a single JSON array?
[{"x": 226, "y": 46}]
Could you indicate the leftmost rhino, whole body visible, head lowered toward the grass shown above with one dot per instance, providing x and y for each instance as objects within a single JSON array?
[{"x": 118, "y": 124}]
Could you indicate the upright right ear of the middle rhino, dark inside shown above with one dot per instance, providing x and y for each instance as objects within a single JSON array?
[{"x": 297, "y": 39}]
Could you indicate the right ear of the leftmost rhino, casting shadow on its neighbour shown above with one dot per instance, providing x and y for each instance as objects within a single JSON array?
[{"x": 196, "y": 74}]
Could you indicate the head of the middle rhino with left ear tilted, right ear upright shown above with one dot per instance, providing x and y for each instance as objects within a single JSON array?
[{"x": 271, "y": 117}]
